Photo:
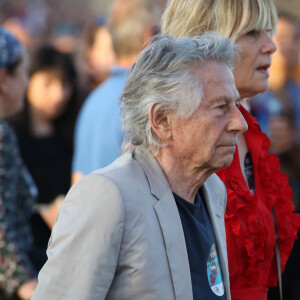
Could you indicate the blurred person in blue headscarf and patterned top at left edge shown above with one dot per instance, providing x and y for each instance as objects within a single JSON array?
[{"x": 17, "y": 190}]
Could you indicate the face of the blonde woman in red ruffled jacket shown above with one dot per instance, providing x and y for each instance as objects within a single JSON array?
[{"x": 252, "y": 73}]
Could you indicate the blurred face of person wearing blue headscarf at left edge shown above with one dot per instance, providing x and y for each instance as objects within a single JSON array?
[{"x": 13, "y": 88}]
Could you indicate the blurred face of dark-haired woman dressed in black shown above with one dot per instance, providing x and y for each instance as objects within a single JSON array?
[{"x": 48, "y": 94}]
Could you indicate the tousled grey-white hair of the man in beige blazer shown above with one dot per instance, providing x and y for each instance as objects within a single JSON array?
[{"x": 164, "y": 75}]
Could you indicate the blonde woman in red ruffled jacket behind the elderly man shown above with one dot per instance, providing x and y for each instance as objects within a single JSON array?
[{"x": 259, "y": 195}]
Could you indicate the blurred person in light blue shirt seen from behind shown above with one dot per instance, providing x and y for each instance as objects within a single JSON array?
[{"x": 98, "y": 135}]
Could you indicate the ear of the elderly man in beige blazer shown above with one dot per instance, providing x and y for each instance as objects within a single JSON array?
[{"x": 160, "y": 121}]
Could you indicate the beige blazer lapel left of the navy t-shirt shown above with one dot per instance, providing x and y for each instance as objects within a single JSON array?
[{"x": 170, "y": 223}]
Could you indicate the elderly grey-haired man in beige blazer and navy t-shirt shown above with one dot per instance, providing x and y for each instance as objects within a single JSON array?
[{"x": 151, "y": 225}]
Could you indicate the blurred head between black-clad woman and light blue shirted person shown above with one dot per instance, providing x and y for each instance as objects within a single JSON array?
[{"x": 96, "y": 56}]
